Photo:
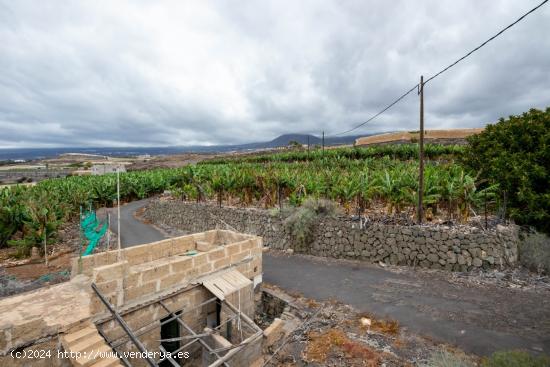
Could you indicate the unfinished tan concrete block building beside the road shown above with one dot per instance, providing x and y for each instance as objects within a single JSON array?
[{"x": 182, "y": 301}]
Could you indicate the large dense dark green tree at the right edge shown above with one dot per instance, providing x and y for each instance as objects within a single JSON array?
[{"x": 515, "y": 153}]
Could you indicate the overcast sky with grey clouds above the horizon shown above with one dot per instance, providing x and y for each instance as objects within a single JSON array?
[{"x": 154, "y": 73}]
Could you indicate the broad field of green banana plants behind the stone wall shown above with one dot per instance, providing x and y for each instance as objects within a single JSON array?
[{"x": 357, "y": 178}]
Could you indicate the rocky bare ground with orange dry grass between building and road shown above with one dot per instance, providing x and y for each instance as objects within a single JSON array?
[{"x": 330, "y": 333}]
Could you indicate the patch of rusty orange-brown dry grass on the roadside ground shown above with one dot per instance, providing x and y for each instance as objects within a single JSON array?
[{"x": 322, "y": 345}]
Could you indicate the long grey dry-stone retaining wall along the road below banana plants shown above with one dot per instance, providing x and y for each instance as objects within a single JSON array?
[{"x": 456, "y": 248}]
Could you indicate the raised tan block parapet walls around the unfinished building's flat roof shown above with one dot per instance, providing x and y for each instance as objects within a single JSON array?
[{"x": 141, "y": 272}]
